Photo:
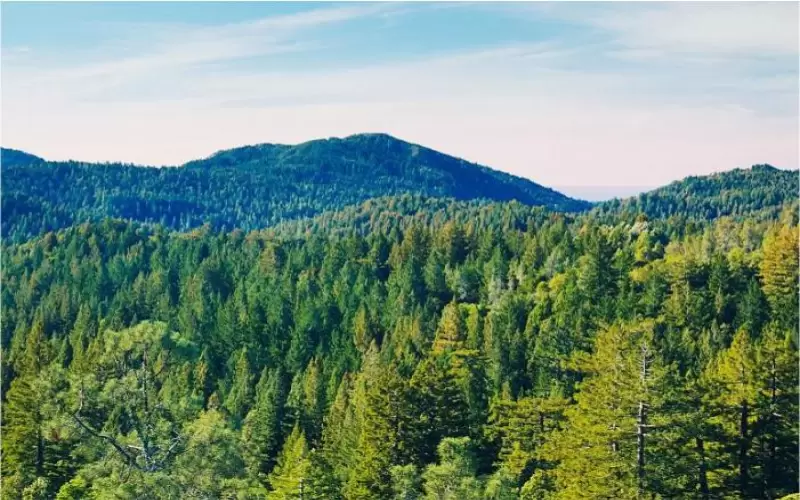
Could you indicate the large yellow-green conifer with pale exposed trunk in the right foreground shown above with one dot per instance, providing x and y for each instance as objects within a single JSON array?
[{"x": 604, "y": 450}]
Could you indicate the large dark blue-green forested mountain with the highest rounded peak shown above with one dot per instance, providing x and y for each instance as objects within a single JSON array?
[{"x": 249, "y": 187}]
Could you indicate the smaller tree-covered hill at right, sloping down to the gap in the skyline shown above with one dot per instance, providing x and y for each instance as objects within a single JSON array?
[{"x": 759, "y": 191}]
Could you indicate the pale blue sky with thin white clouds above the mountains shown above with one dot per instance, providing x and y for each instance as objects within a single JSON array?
[{"x": 587, "y": 97}]
